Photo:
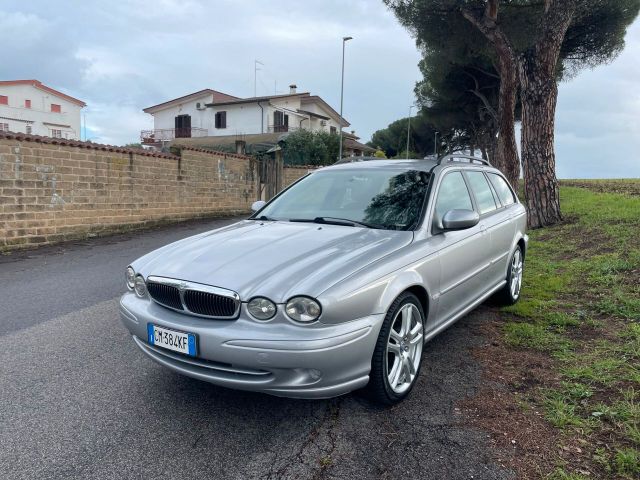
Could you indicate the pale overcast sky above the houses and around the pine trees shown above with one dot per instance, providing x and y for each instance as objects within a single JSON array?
[{"x": 122, "y": 56}]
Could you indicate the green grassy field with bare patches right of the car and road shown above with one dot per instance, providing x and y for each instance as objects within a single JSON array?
[{"x": 580, "y": 307}]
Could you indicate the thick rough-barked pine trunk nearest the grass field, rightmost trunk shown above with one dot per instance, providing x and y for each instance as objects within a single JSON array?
[{"x": 538, "y": 93}]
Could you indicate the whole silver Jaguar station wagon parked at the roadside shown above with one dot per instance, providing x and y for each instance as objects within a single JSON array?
[{"x": 337, "y": 283}]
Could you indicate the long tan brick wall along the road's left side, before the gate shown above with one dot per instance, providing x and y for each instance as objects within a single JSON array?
[{"x": 53, "y": 190}]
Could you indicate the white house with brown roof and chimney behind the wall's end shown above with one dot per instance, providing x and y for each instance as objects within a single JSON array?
[{"x": 209, "y": 113}]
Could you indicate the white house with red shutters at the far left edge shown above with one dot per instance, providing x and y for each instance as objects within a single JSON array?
[{"x": 29, "y": 106}]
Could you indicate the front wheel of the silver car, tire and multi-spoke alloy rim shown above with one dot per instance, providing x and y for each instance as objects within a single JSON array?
[{"x": 397, "y": 358}]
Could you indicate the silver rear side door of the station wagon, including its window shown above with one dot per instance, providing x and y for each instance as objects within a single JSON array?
[{"x": 496, "y": 219}]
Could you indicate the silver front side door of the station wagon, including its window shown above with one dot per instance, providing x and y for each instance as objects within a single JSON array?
[{"x": 462, "y": 254}]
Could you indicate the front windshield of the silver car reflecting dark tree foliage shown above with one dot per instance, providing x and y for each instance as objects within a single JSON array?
[{"x": 378, "y": 198}]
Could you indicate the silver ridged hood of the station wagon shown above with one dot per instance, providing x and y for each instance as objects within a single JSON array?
[{"x": 273, "y": 259}]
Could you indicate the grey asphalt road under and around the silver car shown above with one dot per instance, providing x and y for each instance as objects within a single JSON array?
[{"x": 77, "y": 400}]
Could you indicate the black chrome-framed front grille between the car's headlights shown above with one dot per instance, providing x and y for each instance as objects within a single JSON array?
[{"x": 195, "y": 298}]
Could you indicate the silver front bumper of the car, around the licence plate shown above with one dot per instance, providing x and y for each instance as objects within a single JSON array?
[{"x": 276, "y": 357}]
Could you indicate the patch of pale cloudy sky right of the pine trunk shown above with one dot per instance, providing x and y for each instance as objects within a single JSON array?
[{"x": 598, "y": 118}]
